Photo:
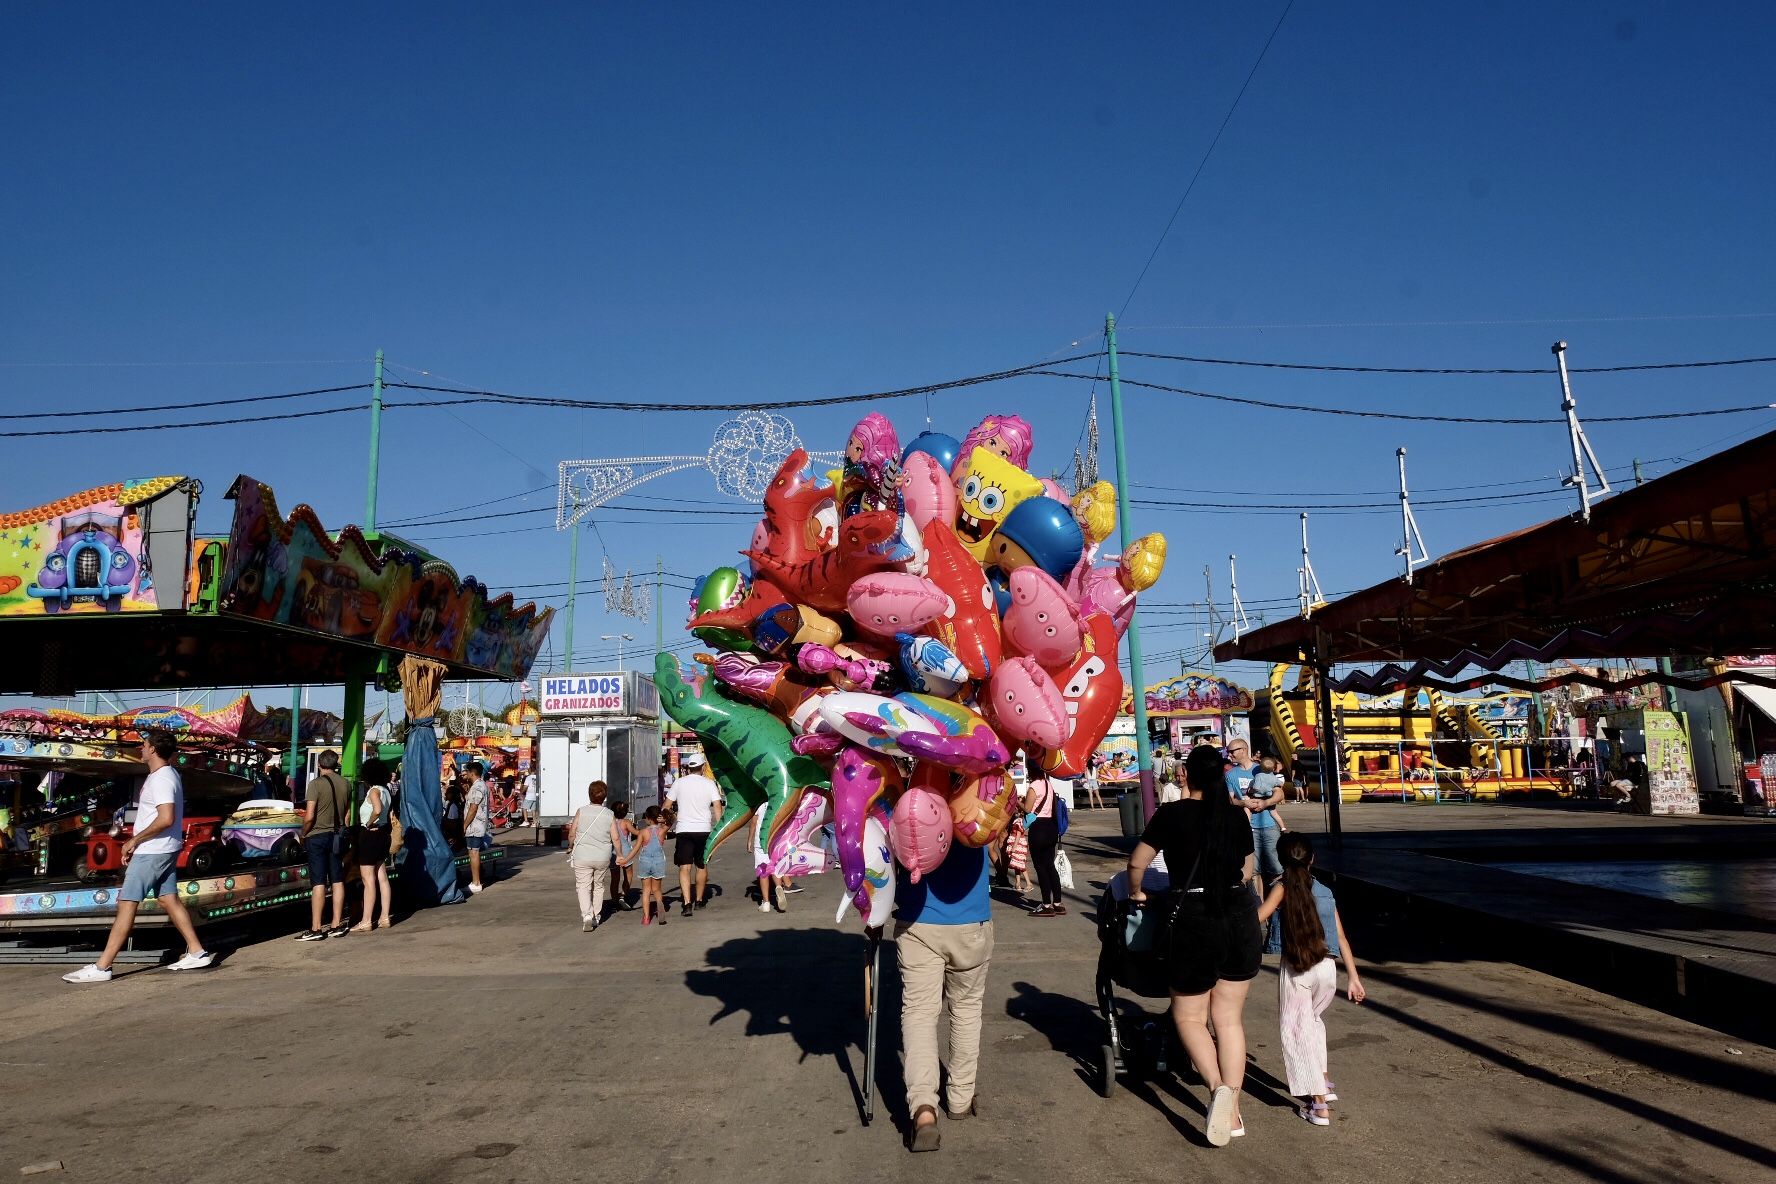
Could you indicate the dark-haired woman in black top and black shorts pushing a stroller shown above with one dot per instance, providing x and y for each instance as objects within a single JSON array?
[{"x": 1214, "y": 943}]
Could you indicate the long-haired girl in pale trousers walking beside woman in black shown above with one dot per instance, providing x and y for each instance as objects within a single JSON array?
[{"x": 1310, "y": 938}]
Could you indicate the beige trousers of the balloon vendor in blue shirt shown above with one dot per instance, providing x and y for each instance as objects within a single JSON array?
[{"x": 942, "y": 963}]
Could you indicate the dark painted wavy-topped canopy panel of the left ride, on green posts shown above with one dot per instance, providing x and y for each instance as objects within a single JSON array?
[{"x": 292, "y": 572}]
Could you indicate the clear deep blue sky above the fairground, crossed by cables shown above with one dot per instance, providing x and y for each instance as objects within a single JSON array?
[{"x": 725, "y": 203}]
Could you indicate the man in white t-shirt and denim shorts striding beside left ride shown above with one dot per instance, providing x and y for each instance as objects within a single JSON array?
[{"x": 150, "y": 858}]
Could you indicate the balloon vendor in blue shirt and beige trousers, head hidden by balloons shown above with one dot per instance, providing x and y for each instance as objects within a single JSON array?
[{"x": 944, "y": 942}]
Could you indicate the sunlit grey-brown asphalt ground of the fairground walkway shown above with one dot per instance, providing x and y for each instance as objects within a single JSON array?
[{"x": 493, "y": 1041}]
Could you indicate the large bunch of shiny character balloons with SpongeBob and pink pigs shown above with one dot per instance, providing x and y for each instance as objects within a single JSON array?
[{"x": 905, "y": 624}]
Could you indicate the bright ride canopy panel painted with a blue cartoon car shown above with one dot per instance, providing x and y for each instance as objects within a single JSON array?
[{"x": 86, "y": 553}]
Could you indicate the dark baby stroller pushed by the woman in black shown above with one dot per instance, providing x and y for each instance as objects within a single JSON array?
[{"x": 1130, "y": 958}]
